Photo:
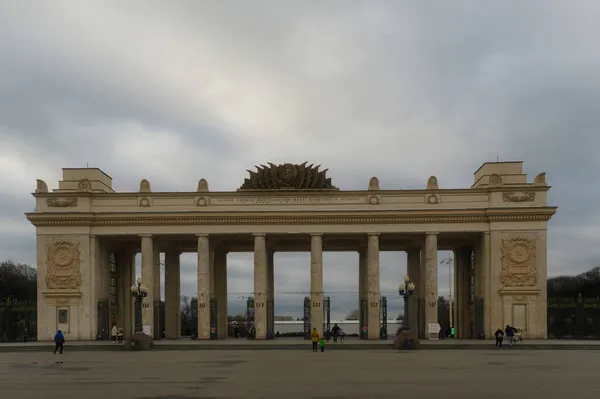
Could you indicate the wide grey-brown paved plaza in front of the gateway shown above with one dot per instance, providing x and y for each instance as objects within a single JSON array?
[{"x": 296, "y": 374}]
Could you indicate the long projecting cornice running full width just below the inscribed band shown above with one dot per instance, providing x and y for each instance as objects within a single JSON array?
[{"x": 293, "y": 218}]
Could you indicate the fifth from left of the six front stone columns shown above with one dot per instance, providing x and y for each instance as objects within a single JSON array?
[{"x": 373, "y": 285}]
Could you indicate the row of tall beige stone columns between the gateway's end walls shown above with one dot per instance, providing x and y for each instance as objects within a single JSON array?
[{"x": 422, "y": 268}]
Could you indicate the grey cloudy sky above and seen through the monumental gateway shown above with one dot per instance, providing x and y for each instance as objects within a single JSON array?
[{"x": 397, "y": 89}]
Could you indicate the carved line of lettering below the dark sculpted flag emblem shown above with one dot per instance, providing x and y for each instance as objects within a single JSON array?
[{"x": 287, "y": 200}]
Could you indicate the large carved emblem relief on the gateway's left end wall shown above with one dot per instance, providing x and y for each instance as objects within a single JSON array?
[{"x": 63, "y": 264}]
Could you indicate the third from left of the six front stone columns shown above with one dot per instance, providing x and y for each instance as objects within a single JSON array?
[{"x": 260, "y": 285}]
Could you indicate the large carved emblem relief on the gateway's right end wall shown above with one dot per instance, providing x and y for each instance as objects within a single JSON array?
[{"x": 519, "y": 262}]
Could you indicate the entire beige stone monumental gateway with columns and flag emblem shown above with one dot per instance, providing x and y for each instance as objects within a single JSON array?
[{"x": 88, "y": 236}]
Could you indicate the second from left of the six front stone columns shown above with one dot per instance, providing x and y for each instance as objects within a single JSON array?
[{"x": 204, "y": 293}]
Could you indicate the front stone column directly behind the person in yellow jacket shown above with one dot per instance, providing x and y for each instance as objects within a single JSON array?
[{"x": 316, "y": 282}]
